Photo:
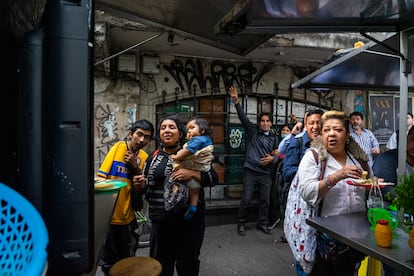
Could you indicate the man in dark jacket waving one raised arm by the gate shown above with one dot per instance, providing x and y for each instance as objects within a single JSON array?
[{"x": 259, "y": 163}]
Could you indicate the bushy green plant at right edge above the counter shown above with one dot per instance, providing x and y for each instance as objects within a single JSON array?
[{"x": 404, "y": 201}]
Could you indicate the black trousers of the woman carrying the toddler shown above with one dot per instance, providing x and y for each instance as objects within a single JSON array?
[{"x": 177, "y": 243}]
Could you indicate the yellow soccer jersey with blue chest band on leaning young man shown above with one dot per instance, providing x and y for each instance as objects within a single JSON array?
[{"x": 114, "y": 167}]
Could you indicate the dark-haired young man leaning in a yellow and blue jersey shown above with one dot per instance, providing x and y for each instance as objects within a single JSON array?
[{"x": 124, "y": 160}]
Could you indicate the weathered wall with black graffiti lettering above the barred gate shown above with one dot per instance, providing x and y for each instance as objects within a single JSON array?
[{"x": 121, "y": 97}]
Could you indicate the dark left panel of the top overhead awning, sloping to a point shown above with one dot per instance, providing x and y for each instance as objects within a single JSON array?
[{"x": 193, "y": 19}]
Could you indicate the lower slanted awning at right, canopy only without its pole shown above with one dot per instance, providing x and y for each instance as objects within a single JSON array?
[{"x": 370, "y": 67}]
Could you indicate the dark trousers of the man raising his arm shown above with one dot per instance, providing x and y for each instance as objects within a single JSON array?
[{"x": 264, "y": 181}]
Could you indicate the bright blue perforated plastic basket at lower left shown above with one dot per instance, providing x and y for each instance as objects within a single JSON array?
[{"x": 23, "y": 235}]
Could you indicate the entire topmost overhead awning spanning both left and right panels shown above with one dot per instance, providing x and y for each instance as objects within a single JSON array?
[{"x": 240, "y": 26}]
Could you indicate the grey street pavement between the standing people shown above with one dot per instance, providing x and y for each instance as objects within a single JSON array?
[{"x": 226, "y": 253}]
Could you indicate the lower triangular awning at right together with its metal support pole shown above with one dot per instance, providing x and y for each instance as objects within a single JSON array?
[{"x": 384, "y": 66}]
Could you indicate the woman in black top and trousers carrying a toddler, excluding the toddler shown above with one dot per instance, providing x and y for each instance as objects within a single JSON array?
[{"x": 175, "y": 241}]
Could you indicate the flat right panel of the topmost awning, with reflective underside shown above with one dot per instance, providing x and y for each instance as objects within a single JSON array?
[{"x": 317, "y": 16}]
